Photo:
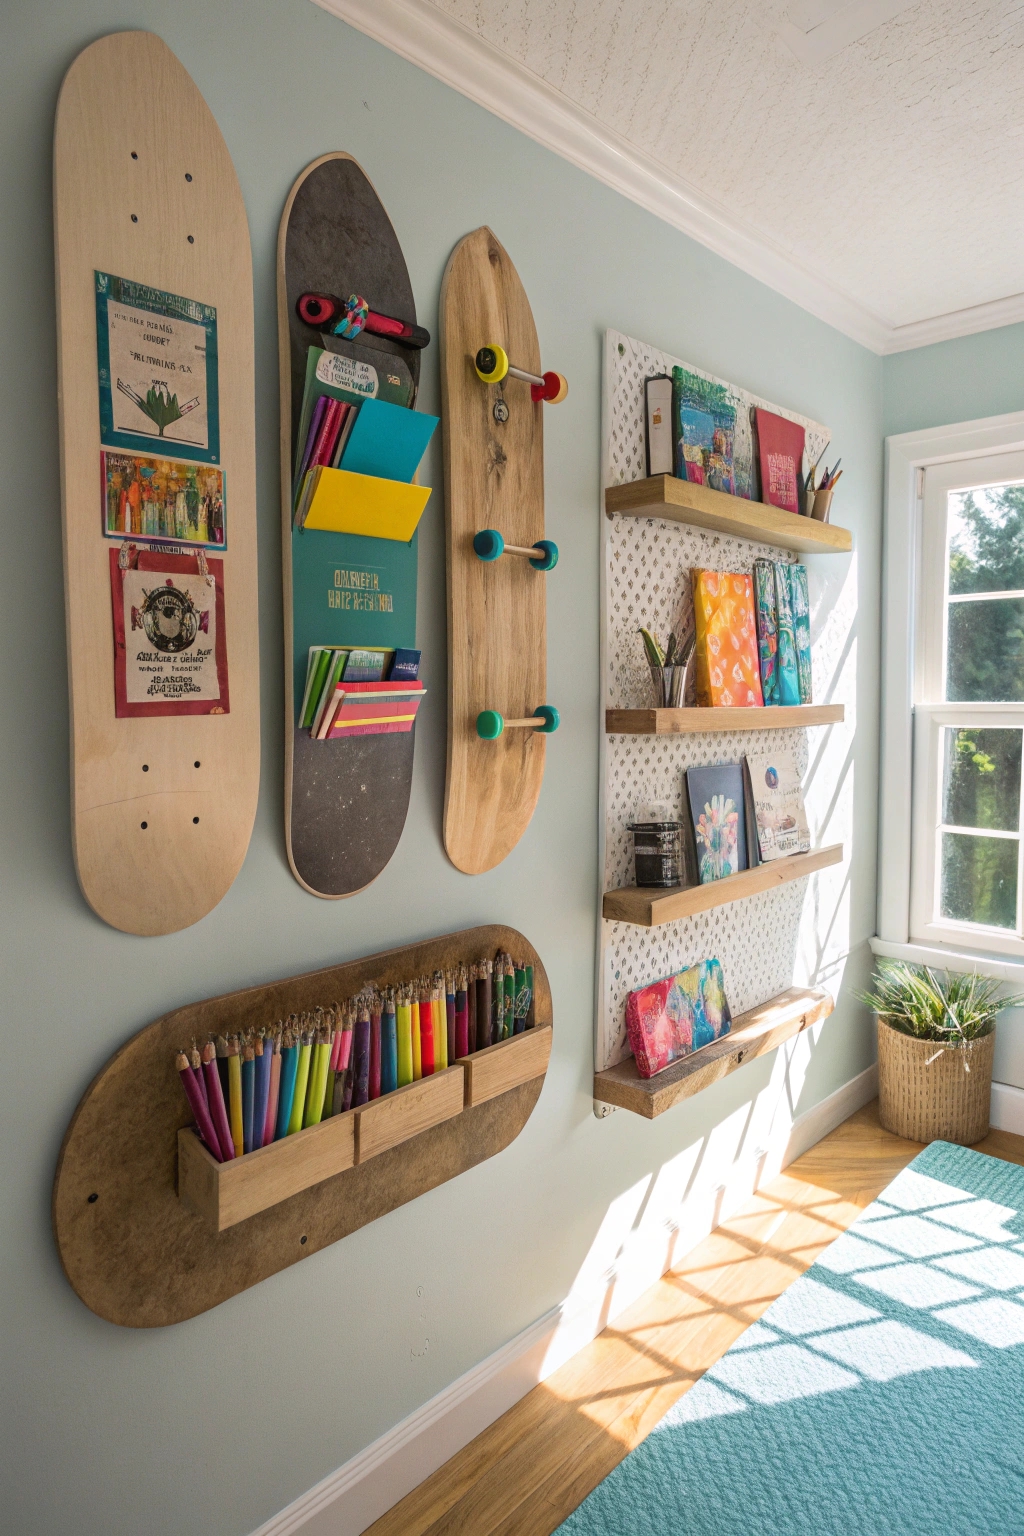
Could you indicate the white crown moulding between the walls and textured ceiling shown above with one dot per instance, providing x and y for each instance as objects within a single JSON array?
[{"x": 455, "y": 55}]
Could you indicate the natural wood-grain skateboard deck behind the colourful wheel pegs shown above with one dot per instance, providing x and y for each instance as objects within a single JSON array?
[{"x": 497, "y": 609}]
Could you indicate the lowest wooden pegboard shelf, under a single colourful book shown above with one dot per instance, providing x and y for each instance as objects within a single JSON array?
[{"x": 753, "y": 1034}]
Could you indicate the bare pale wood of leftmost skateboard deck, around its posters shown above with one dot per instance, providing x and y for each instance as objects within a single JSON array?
[{"x": 145, "y": 191}]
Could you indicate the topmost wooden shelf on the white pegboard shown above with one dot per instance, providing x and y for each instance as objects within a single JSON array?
[{"x": 666, "y": 497}]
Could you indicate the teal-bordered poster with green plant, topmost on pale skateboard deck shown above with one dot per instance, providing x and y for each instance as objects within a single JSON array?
[{"x": 159, "y": 371}]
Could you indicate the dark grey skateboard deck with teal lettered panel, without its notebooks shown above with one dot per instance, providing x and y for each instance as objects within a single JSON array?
[{"x": 345, "y": 801}]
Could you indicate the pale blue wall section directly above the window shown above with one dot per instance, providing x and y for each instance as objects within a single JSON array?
[{"x": 962, "y": 380}]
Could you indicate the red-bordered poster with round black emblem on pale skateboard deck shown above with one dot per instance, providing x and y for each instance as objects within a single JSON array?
[{"x": 170, "y": 643}]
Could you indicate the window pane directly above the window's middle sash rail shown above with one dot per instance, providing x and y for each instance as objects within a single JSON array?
[{"x": 985, "y": 660}]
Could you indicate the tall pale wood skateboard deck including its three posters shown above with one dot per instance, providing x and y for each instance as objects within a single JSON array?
[{"x": 151, "y": 234}]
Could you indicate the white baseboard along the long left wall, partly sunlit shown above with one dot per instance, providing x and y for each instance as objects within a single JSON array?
[{"x": 377, "y": 1478}]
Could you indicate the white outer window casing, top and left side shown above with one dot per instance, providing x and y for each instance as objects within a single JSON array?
[{"x": 905, "y": 455}]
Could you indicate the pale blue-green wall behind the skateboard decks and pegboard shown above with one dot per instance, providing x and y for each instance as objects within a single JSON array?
[{"x": 210, "y": 1428}]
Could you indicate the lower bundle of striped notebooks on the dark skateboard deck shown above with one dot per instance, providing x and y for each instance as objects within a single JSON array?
[{"x": 352, "y": 692}]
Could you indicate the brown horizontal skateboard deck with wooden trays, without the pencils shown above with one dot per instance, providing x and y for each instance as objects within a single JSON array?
[{"x": 153, "y": 1230}]
